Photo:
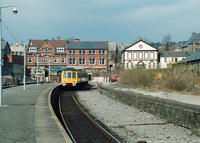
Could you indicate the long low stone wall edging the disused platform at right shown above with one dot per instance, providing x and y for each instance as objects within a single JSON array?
[{"x": 182, "y": 114}]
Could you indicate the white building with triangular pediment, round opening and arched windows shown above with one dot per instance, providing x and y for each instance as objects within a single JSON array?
[{"x": 140, "y": 54}]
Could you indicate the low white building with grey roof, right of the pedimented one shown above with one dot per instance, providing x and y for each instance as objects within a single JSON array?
[{"x": 167, "y": 58}]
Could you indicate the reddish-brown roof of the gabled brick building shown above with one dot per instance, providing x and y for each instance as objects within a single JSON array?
[{"x": 54, "y": 43}]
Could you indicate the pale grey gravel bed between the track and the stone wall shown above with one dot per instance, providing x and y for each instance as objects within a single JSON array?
[{"x": 131, "y": 124}]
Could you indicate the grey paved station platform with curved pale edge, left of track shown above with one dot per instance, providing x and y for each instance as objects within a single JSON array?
[{"x": 26, "y": 117}]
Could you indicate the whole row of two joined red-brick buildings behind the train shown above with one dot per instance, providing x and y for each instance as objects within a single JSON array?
[{"x": 46, "y": 57}]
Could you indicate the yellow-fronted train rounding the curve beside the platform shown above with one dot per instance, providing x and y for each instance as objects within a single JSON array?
[{"x": 73, "y": 77}]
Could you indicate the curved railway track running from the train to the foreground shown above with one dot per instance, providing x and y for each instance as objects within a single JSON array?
[{"x": 79, "y": 125}]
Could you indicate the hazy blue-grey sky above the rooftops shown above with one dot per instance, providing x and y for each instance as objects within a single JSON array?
[{"x": 121, "y": 21}]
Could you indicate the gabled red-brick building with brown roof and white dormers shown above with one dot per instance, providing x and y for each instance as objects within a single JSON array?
[{"x": 43, "y": 55}]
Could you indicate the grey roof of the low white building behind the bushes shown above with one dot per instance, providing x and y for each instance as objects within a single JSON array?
[{"x": 173, "y": 54}]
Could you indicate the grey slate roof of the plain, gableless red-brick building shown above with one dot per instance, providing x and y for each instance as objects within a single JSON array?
[{"x": 87, "y": 45}]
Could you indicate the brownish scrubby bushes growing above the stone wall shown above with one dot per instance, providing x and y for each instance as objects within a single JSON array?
[{"x": 178, "y": 78}]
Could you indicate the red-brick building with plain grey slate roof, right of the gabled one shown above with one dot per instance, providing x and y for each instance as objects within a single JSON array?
[{"x": 89, "y": 56}]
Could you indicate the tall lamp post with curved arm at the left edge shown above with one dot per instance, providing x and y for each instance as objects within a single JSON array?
[{"x": 15, "y": 12}]
